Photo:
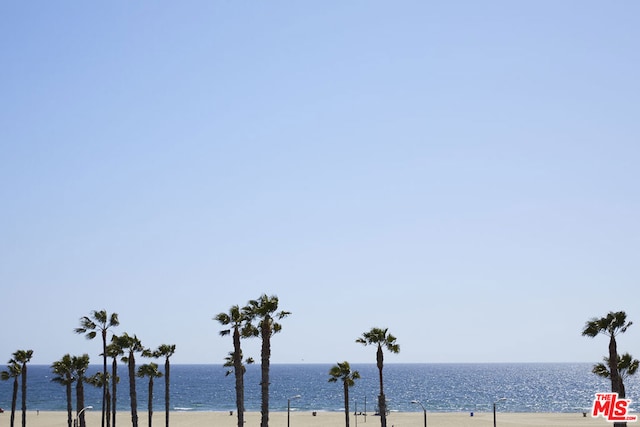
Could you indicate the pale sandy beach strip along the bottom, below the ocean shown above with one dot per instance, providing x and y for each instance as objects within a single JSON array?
[{"x": 322, "y": 419}]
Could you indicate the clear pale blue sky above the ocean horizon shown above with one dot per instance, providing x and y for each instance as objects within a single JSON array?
[{"x": 463, "y": 173}]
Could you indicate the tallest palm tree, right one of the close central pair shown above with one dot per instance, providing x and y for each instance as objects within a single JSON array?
[{"x": 264, "y": 310}]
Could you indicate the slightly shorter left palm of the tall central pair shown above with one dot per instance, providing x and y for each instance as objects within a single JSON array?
[{"x": 236, "y": 319}]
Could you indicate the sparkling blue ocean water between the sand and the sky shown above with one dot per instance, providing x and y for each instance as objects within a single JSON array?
[{"x": 547, "y": 387}]
